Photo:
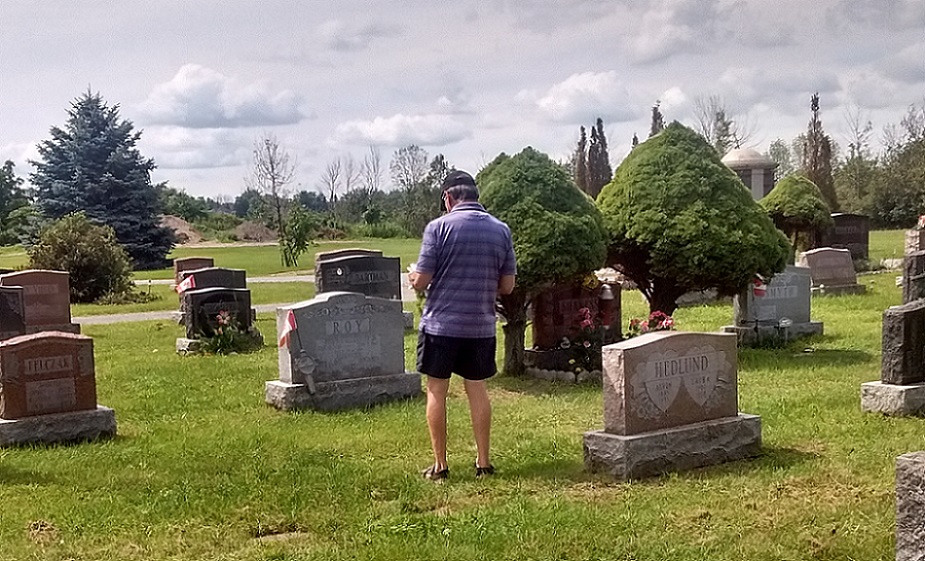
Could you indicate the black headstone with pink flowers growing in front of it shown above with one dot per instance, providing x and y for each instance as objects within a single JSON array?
[{"x": 203, "y": 306}]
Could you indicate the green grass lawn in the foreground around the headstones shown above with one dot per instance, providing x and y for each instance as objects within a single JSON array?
[{"x": 202, "y": 469}]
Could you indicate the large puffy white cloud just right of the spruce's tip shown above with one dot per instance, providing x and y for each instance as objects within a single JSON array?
[{"x": 199, "y": 97}]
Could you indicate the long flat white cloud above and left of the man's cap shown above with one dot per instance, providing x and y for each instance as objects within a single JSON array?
[{"x": 400, "y": 130}]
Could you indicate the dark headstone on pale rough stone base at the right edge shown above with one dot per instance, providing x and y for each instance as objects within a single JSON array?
[{"x": 901, "y": 388}]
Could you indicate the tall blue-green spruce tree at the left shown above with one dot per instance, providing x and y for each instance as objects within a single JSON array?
[{"x": 92, "y": 165}]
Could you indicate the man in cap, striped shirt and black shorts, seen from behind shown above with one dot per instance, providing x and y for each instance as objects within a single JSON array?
[{"x": 467, "y": 259}]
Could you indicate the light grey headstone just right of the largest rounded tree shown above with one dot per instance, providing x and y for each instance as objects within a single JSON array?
[{"x": 778, "y": 311}]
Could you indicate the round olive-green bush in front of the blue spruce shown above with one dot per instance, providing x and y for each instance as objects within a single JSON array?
[{"x": 97, "y": 264}]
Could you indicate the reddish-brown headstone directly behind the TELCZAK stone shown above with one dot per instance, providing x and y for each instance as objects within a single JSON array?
[{"x": 46, "y": 299}]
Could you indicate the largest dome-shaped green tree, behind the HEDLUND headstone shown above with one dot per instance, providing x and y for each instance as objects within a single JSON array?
[{"x": 681, "y": 221}]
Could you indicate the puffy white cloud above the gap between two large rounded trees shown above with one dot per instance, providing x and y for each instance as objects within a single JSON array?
[{"x": 581, "y": 98}]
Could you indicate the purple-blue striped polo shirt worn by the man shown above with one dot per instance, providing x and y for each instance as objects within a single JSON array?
[{"x": 467, "y": 251}]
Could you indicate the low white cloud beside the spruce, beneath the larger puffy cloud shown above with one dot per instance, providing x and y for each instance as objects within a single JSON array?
[{"x": 184, "y": 148}]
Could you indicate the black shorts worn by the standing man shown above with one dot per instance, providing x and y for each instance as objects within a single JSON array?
[{"x": 439, "y": 356}]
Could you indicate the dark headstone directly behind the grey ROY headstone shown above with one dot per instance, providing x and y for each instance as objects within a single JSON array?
[{"x": 372, "y": 275}]
